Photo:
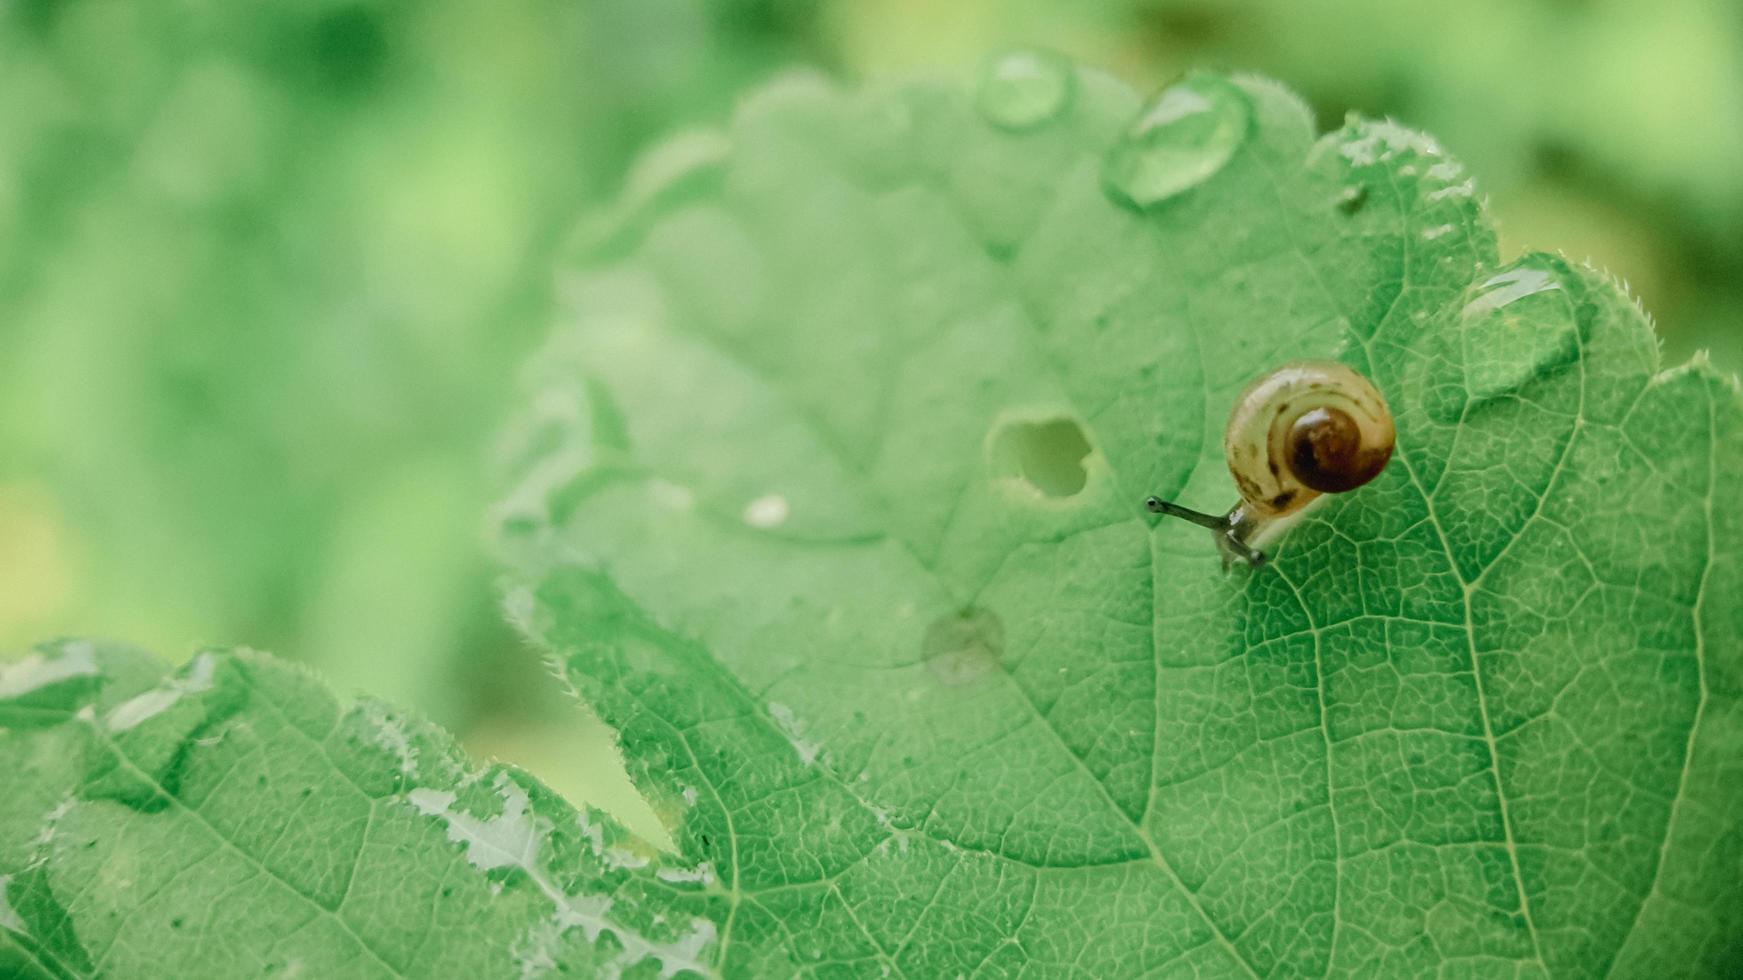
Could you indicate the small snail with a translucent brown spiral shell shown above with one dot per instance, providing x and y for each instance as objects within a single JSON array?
[{"x": 1305, "y": 430}]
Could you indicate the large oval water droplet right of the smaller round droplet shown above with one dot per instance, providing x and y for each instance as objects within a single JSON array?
[{"x": 1183, "y": 139}]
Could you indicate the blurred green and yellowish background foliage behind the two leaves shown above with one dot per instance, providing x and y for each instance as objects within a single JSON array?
[{"x": 268, "y": 269}]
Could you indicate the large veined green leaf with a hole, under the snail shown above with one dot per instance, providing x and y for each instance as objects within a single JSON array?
[{"x": 831, "y": 503}]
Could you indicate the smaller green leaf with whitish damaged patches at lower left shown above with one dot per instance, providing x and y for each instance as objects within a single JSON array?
[{"x": 234, "y": 820}]
